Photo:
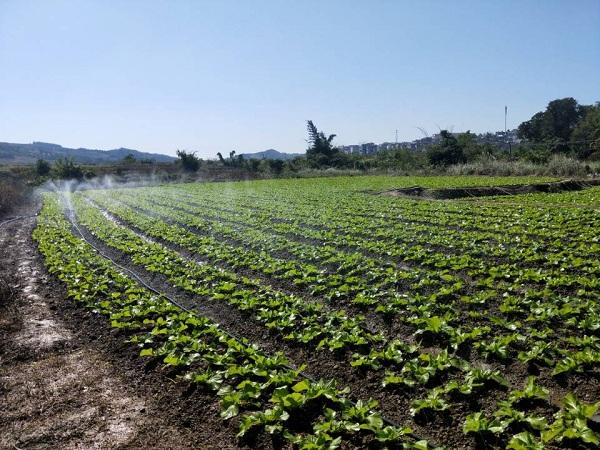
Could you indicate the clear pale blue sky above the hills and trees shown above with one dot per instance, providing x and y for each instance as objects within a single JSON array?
[{"x": 246, "y": 75}]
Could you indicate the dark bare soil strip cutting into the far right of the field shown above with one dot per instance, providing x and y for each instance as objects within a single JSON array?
[{"x": 486, "y": 191}]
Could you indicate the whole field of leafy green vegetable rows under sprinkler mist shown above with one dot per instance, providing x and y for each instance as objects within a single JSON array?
[{"x": 323, "y": 315}]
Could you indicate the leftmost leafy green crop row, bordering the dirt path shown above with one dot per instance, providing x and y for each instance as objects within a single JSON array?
[{"x": 260, "y": 391}]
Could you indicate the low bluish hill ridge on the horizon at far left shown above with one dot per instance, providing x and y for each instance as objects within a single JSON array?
[{"x": 30, "y": 153}]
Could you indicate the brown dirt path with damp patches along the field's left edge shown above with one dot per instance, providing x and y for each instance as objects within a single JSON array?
[{"x": 67, "y": 381}]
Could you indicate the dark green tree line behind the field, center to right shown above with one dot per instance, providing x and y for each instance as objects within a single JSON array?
[{"x": 565, "y": 127}]
